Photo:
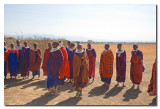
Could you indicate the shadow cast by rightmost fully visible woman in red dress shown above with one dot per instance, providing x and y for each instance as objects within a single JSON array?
[{"x": 131, "y": 94}]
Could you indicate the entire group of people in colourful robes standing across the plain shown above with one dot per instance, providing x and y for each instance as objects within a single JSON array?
[{"x": 76, "y": 64}]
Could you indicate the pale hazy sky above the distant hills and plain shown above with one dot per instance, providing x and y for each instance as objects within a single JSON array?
[{"x": 83, "y": 22}]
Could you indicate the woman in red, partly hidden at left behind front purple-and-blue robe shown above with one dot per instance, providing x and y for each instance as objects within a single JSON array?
[{"x": 45, "y": 60}]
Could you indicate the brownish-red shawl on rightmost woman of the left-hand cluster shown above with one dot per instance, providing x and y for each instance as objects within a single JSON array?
[{"x": 35, "y": 66}]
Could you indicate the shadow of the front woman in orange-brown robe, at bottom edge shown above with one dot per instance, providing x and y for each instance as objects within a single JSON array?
[{"x": 70, "y": 101}]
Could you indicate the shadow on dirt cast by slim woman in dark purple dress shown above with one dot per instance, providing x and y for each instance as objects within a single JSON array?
[{"x": 113, "y": 92}]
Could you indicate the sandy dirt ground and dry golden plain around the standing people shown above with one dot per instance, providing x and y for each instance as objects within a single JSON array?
[{"x": 34, "y": 92}]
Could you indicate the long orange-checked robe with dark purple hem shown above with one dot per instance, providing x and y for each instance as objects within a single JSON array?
[{"x": 106, "y": 66}]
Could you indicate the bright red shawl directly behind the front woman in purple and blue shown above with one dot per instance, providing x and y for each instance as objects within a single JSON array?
[{"x": 64, "y": 72}]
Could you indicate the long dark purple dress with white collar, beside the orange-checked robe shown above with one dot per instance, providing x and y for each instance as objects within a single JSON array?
[{"x": 121, "y": 66}]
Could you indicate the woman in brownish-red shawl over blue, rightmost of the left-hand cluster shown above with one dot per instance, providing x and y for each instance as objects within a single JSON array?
[{"x": 35, "y": 60}]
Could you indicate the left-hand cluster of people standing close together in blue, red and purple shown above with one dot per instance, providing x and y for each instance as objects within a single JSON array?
[{"x": 19, "y": 60}]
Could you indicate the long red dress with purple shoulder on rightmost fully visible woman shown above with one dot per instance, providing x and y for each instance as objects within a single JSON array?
[{"x": 137, "y": 67}]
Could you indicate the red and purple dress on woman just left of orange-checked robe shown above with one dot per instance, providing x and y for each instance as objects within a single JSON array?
[{"x": 92, "y": 59}]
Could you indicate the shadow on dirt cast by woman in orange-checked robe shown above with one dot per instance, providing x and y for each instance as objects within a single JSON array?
[{"x": 97, "y": 91}]
